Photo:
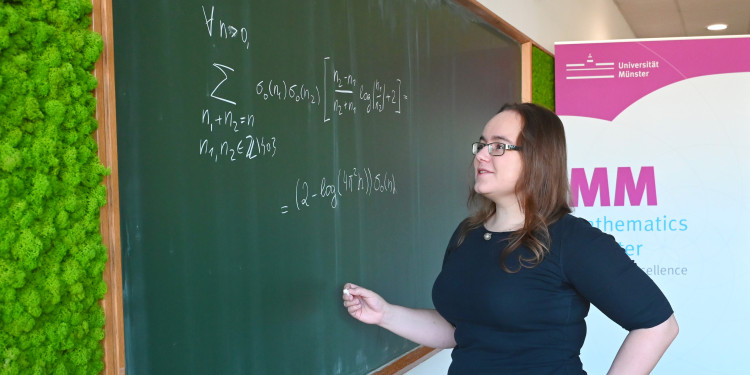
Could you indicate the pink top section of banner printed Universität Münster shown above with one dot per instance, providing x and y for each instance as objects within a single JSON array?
[{"x": 600, "y": 80}]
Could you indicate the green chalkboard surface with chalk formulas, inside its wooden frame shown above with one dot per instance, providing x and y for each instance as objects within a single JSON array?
[{"x": 270, "y": 151}]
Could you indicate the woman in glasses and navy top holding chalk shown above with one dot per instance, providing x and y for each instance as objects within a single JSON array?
[{"x": 520, "y": 273}]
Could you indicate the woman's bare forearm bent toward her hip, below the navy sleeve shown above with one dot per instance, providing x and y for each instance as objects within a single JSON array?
[{"x": 643, "y": 348}]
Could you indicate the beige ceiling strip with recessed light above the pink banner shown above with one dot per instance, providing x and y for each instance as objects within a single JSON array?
[{"x": 680, "y": 18}]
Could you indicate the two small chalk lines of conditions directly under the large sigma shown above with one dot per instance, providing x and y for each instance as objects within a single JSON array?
[{"x": 233, "y": 138}]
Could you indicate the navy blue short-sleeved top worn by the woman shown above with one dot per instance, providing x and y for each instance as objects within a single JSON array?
[{"x": 532, "y": 321}]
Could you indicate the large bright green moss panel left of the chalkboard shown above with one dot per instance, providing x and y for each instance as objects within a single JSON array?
[{"x": 51, "y": 252}]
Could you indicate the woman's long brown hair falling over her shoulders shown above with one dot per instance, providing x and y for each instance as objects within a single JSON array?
[{"x": 542, "y": 189}]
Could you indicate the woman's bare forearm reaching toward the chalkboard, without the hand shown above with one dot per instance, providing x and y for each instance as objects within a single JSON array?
[{"x": 425, "y": 327}]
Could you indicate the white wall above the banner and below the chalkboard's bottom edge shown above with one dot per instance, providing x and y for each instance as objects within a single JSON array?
[{"x": 547, "y": 22}]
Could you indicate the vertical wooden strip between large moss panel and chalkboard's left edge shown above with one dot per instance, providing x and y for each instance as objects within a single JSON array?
[{"x": 106, "y": 138}]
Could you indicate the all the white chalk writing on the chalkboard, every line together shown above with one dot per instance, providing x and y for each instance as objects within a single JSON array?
[{"x": 231, "y": 134}]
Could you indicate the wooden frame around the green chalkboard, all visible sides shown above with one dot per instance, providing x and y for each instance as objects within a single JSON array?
[{"x": 106, "y": 137}]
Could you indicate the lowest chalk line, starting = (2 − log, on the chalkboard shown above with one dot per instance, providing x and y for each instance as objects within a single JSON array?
[{"x": 346, "y": 182}]
